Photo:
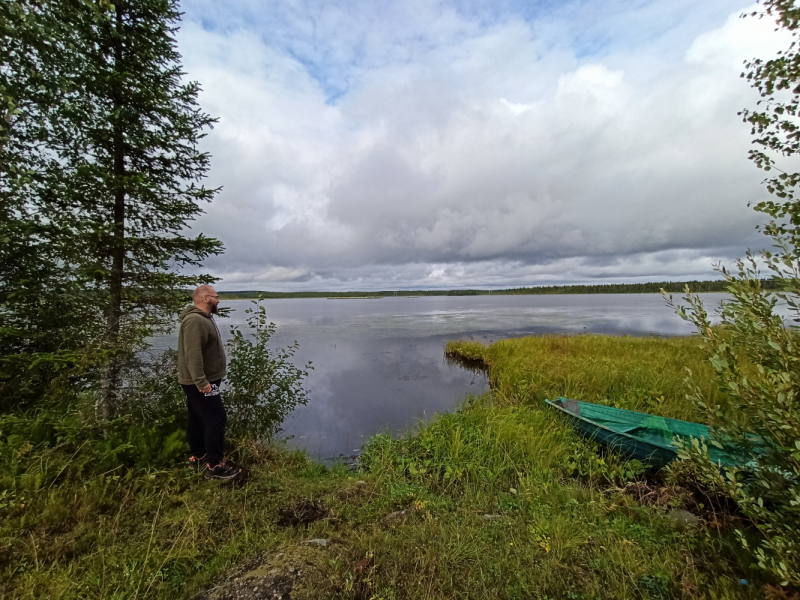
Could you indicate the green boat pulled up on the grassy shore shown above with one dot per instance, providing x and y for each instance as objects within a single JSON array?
[{"x": 647, "y": 438}]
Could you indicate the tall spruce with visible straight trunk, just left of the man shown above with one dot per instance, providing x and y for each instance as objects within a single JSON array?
[{"x": 131, "y": 136}]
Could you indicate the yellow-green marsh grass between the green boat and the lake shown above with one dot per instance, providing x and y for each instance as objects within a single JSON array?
[{"x": 644, "y": 374}]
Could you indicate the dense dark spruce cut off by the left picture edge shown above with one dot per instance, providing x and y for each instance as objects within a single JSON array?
[{"x": 40, "y": 298}]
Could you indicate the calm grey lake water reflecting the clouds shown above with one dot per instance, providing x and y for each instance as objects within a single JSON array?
[{"x": 379, "y": 364}]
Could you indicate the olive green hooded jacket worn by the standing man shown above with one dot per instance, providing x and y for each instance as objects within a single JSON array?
[{"x": 201, "y": 355}]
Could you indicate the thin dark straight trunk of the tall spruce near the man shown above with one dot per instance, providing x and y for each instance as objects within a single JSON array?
[{"x": 110, "y": 375}]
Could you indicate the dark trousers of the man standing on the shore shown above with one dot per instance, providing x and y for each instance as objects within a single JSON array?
[{"x": 206, "y": 425}]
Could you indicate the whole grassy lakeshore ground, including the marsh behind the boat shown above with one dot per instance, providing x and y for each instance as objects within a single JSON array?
[{"x": 498, "y": 500}]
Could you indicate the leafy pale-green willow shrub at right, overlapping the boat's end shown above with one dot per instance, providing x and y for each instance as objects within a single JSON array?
[{"x": 757, "y": 362}]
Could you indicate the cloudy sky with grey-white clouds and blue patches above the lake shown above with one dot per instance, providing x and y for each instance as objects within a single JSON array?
[{"x": 391, "y": 144}]
